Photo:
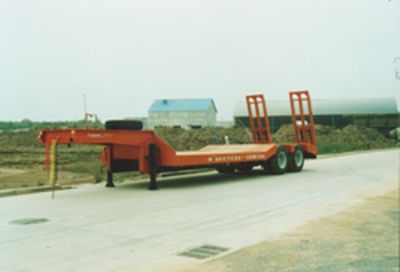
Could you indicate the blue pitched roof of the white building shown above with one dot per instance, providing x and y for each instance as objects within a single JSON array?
[{"x": 197, "y": 104}]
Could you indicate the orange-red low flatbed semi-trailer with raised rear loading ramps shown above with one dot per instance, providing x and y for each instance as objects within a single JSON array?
[{"x": 138, "y": 150}]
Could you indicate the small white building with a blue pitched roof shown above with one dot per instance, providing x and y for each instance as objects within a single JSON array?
[{"x": 183, "y": 113}]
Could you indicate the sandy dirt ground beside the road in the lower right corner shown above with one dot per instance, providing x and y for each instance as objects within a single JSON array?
[{"x": 363, "y": 238}]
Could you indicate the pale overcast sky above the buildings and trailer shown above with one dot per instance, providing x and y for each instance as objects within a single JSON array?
[{"x": 123, "y": 54}]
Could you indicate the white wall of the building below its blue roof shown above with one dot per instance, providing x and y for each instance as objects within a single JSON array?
[{"x": 183, "y": 119}]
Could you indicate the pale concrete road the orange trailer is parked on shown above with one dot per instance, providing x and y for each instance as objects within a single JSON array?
[{"x": 128, "y": 228}]
